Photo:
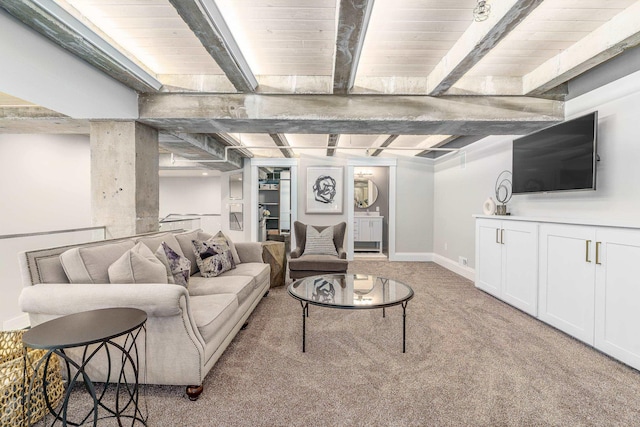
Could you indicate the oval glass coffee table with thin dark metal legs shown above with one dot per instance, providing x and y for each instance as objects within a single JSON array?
[{"x": 351, "y": 292}]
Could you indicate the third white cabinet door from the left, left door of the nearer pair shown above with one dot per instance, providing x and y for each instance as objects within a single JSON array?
[{"x": 567, "y": 279}]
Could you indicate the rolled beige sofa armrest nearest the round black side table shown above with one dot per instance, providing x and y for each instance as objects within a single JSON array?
[{"x": 157, "y": 300}]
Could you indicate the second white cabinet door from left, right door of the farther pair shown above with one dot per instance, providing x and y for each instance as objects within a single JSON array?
[{"x": 520, "y": 265}]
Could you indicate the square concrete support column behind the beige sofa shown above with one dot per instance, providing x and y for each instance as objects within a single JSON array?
[{"x": 124, "y": 177}]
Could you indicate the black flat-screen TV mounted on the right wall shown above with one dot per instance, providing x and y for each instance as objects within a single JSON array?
[{"x": 561, "y": 157}]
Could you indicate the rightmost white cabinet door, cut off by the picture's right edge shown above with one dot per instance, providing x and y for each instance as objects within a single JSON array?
[{"x": 618, "y": 294}]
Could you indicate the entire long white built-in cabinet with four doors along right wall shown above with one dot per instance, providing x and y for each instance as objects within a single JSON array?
[{"x": 588, "y": 281}]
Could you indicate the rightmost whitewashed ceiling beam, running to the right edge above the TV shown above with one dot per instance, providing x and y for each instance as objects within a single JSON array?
[{"x": 619, "y": 34}]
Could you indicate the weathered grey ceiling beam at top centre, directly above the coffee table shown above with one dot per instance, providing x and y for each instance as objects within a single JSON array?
[{"x": 353, "y": 21}]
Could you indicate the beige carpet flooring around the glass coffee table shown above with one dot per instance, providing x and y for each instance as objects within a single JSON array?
[{"x": 471, "y": 361}]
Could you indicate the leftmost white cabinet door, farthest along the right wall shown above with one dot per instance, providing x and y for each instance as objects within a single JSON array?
[{"x": 488, "y": 256}]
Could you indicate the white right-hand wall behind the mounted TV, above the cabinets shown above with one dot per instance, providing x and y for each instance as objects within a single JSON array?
[{"x": 460, "y": 192}]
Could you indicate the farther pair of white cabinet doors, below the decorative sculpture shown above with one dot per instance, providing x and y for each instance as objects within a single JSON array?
[{"x": 507, "y": 261}]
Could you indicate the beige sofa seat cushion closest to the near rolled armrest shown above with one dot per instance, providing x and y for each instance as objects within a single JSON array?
[{"x": 212, "y": 312}]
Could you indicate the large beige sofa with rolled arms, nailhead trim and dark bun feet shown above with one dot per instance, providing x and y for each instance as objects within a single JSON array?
[{"x": 187, "y": 329}]
